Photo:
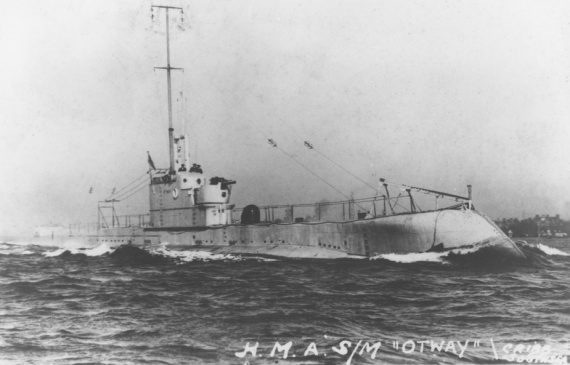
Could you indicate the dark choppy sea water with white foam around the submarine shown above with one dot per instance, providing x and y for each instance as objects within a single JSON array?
[{"x": 69, "y": 305}]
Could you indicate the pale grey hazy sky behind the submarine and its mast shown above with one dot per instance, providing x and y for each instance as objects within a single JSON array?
[{"x": 438, "y": 94}]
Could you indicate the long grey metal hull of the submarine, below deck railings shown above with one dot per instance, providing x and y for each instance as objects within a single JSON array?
[{"x": 400, "y": 234}]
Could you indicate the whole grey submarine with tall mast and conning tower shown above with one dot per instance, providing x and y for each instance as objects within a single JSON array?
[{"x": 190, "y": 210}]
